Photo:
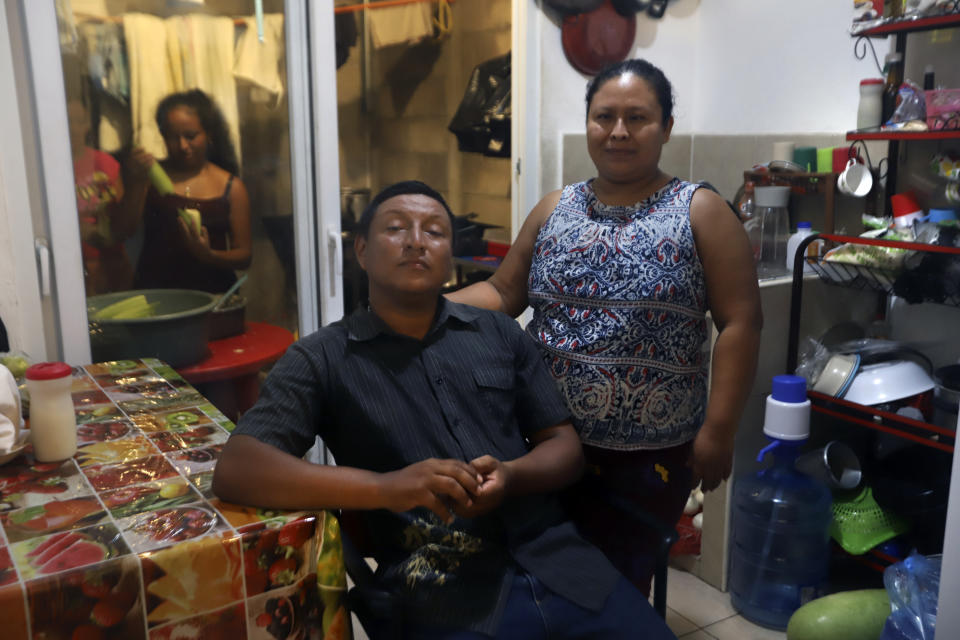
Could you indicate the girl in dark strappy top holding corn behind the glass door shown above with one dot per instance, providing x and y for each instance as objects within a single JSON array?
[{"x": 202, "y": 165}]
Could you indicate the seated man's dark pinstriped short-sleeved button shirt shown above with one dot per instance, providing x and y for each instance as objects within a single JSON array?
[{"x": 474, "y": 385}]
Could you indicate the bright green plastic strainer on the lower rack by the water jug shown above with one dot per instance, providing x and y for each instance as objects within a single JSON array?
[{"x": 859, "y": 523}]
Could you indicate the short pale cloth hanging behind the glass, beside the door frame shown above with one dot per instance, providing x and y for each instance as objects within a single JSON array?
[{"x": 260, "y": 63}]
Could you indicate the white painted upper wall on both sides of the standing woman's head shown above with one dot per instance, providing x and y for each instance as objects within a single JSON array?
[{"x": 737, "y": 66}]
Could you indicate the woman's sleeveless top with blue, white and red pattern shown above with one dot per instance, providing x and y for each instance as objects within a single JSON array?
[{"x": 619, "y": 304}]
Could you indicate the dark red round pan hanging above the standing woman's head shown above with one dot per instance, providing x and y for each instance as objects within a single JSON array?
[{"x": 594, "y": 39}]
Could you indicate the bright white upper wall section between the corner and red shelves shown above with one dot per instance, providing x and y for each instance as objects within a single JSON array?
[{"x": 770, "y": 67}]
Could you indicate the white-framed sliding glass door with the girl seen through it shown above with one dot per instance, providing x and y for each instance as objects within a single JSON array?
[{"x": 181, "y": 148}]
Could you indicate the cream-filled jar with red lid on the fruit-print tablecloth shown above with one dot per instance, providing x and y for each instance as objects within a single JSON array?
[{"x": 53, "y": 423}]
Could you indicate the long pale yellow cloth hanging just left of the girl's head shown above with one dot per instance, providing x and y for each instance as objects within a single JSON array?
[{"x": 151, "y": 77}]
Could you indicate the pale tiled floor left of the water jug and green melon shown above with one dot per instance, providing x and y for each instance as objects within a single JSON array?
[{"x": 695, "y": 611}]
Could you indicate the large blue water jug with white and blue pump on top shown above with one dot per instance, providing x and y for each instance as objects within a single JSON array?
[{"x": 780, "y": 540}]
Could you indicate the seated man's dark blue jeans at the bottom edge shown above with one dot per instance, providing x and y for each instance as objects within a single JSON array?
[{"x": 535, "y": 613}]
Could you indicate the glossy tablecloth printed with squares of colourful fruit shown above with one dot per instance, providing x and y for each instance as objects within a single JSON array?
[{"x": 127, "y": 541}]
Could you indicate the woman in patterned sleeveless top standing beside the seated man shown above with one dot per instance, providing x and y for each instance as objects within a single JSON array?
[{"x": 620, "y": 271}]
